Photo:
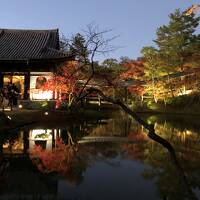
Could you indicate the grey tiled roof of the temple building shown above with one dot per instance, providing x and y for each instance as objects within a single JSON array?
[{"x": 29, "y": 44}]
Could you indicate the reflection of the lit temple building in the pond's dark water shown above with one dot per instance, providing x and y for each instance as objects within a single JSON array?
[{"x": 21, "y": 172}]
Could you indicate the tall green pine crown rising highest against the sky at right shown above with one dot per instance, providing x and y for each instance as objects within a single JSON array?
[{"x": 177, "y": 39}]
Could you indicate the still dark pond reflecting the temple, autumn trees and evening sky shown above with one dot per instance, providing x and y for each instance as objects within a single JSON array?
[{"x": 99, "y": 159}]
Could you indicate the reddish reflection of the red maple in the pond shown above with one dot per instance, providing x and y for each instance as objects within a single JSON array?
[{"x": 63, "y": 159}]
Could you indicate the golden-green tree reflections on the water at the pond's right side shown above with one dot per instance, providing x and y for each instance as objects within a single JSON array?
[{"x": 186, "y": 143}]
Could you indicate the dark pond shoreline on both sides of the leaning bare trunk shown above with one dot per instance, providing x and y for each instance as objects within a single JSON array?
[{"x": 22, "y": 117}]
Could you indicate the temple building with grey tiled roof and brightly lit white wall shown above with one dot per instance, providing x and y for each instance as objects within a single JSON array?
[{"x": 26, "y": 59}]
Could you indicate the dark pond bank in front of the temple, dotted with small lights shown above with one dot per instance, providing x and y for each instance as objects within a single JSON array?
[{"x": 19, "y": 118}]
